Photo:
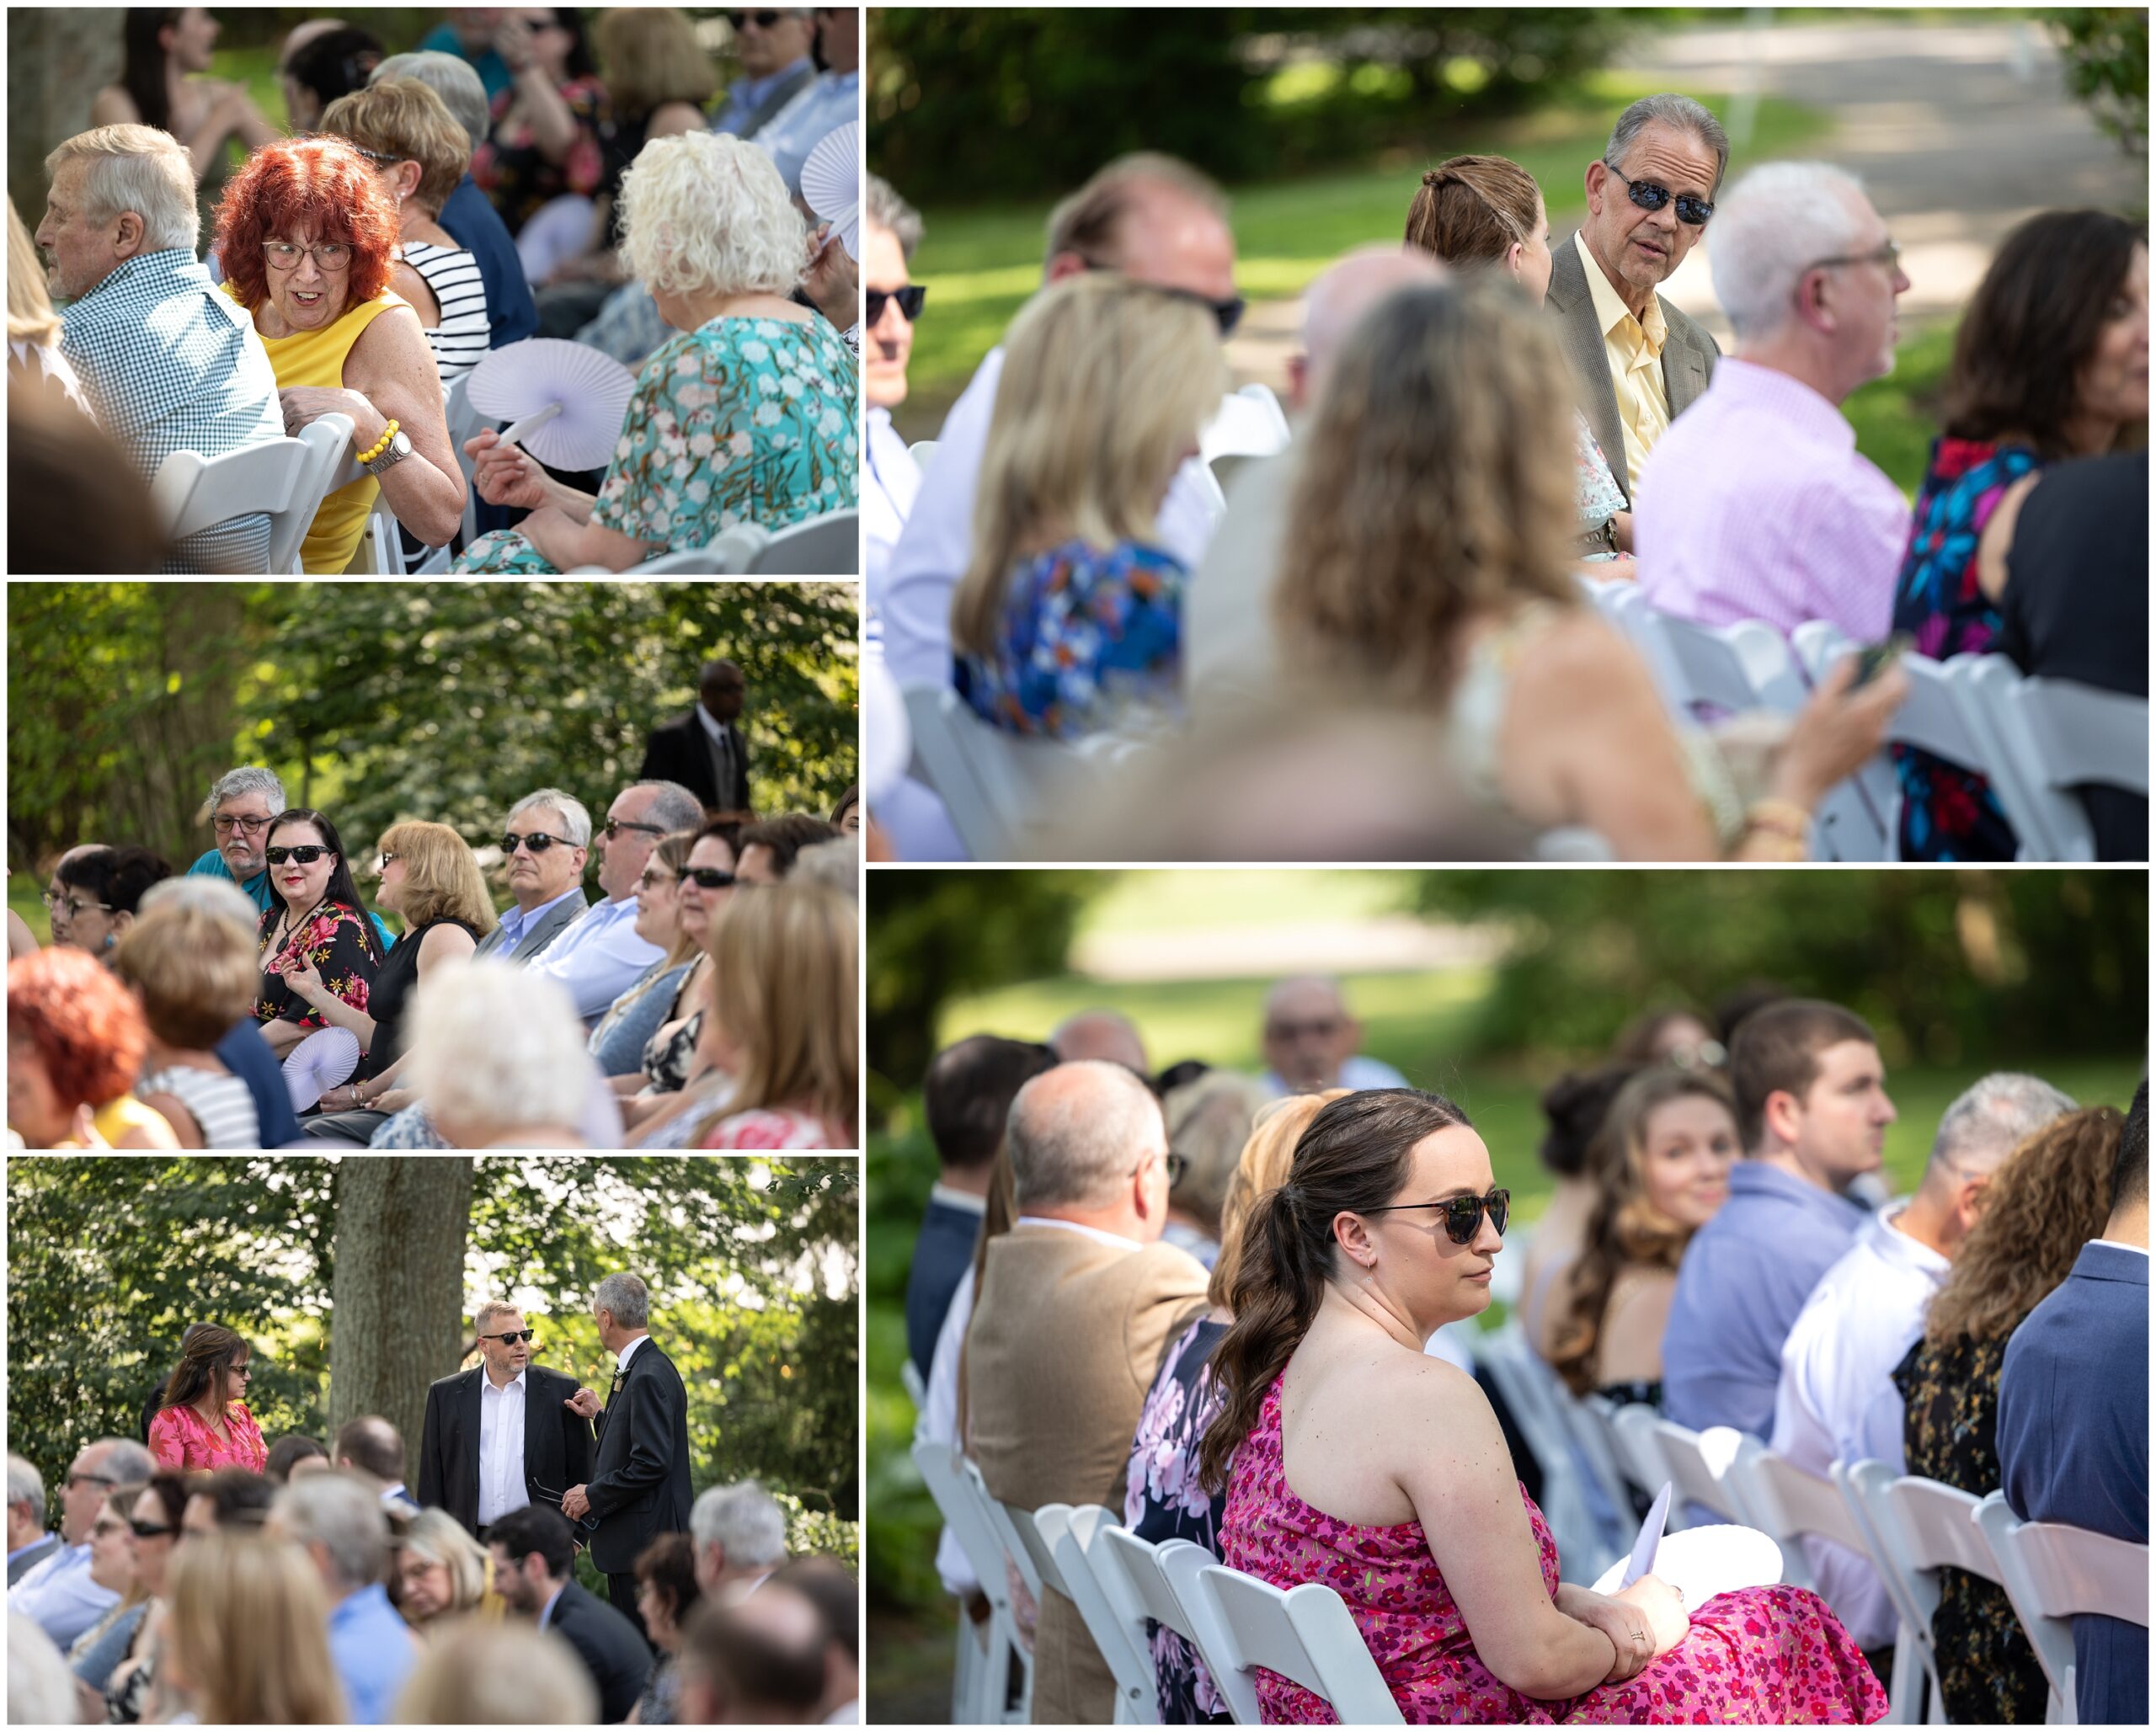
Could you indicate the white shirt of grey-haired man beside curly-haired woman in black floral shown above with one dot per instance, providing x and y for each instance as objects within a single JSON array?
[{"x": 1838, "y": 1399}]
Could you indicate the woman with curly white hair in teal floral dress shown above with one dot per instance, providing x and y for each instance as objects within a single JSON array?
[{"x": 743, "y": 419}]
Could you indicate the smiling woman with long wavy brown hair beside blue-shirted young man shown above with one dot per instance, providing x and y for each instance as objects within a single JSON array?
[{"x": 1663, "y": 1169}]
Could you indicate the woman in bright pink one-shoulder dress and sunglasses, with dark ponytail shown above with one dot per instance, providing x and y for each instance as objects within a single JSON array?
[{"x": 1402, "y": 1496}]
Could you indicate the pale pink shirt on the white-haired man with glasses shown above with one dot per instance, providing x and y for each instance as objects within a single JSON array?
[{"x": 1756, "y": 507}]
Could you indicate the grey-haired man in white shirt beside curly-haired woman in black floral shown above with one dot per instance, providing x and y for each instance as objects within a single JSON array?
[{"x": 1838, "y": 1399}]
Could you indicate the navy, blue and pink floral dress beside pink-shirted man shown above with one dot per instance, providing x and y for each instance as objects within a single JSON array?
[{"x": 1946, "y": 811}]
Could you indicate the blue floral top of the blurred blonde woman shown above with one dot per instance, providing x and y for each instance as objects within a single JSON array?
[{"x": 1086, "y": 637}]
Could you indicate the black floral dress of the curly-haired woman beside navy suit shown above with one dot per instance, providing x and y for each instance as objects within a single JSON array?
[{"x": 1950, "y": 1395}]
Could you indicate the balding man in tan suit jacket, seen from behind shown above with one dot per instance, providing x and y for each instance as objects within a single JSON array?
[{"x": 1079, "y": 1307}]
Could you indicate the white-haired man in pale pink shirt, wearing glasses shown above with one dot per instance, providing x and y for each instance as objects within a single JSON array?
[{"x": 1758, "y": 505}]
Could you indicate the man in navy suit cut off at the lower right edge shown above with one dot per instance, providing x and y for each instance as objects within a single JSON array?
[{"x": 2075, "y": 1421}]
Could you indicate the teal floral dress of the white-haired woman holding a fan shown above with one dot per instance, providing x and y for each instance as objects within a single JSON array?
[{"x": 745, "y": 421}]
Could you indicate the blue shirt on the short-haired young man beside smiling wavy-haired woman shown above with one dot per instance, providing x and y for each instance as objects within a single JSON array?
[{"x": 1741, "y": 1287}]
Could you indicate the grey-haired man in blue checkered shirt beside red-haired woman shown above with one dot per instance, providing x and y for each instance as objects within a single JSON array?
[{"x": 167, "y": 361}]
